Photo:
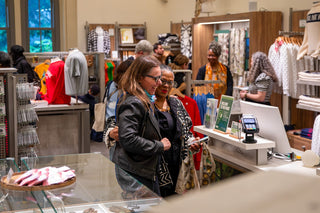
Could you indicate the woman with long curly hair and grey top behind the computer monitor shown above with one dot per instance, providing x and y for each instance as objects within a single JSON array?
[{"x": 261, "y": 78}]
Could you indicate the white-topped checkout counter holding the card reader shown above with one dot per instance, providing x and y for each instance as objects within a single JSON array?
[{"x": 250, "y": 157}]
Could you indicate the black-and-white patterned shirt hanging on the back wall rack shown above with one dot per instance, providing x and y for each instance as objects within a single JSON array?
[{"x": 94, "y": 45}]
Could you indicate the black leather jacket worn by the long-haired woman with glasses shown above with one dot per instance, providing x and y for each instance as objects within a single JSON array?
[{"x": 139, "y": 139}]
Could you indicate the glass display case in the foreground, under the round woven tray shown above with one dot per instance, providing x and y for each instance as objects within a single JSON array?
[{"x": 96, "y": 188}]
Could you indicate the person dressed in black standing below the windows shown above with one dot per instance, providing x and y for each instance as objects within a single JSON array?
[{"x": 21, "y": 64}]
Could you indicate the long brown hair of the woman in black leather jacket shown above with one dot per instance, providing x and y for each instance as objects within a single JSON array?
[{"x": 129, "y": 82}]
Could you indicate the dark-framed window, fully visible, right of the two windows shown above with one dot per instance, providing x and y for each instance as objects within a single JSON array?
[{"x": 41, "y": 25}]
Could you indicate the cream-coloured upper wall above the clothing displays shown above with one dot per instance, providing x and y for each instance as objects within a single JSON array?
[{"x": 158, "y": 14}]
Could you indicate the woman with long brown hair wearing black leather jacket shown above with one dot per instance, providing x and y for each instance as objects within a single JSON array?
[{"x": 140, "y": 143}]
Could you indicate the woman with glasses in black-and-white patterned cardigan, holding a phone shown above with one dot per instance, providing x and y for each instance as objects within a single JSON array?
[{"x": 175, "y": 124}]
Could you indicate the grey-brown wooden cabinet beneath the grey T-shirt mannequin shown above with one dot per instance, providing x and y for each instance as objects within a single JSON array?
[{"x": 63, "y": 129}]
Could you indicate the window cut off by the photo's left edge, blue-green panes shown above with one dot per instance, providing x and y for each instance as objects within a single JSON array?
[{"x": 6, "y": 28}]
